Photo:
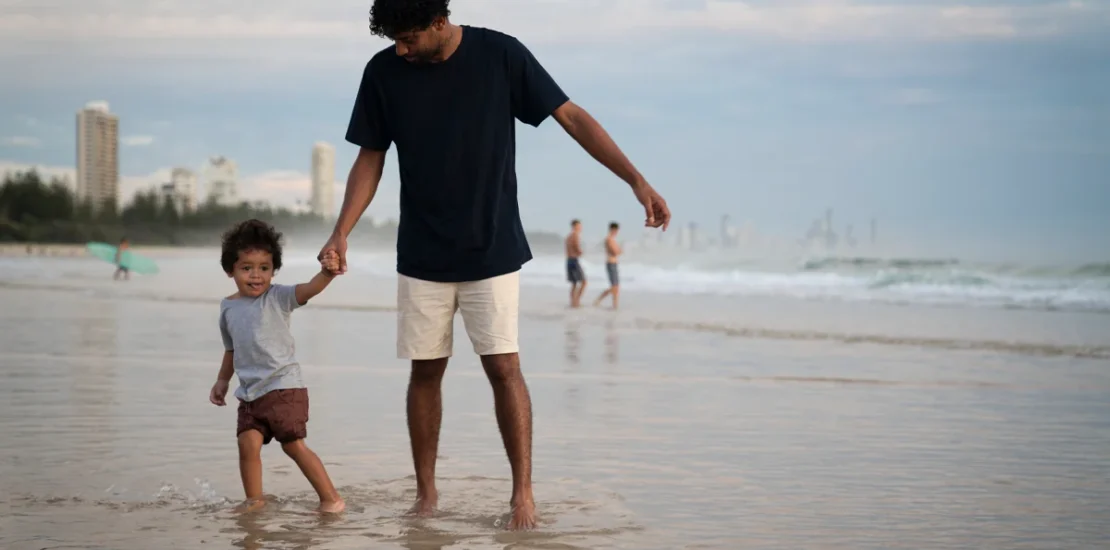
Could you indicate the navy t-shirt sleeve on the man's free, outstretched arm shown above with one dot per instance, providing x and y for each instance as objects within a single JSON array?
[{"x": 536, "y": 93}]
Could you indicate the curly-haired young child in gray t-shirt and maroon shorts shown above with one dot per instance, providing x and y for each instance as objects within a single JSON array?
[{"x": 259, "y": 348}]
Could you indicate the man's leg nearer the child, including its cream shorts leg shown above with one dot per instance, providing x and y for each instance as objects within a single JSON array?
[{"x": 426, "y": 316}]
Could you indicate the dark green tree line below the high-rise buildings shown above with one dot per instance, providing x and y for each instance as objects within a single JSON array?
[{"x": 34, "y": 209}]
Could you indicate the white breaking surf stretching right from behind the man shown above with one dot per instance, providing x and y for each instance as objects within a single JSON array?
[{"x": 902, "y": 282}]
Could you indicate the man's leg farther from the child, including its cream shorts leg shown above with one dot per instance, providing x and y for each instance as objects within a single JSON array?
[{"x": 491, "y": 311}]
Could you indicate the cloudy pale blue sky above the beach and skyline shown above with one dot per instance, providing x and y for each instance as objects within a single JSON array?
[{"x": 977, "y": 128}]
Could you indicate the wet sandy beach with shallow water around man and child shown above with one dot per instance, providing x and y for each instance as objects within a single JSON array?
[{"x": 681, "y": 422}]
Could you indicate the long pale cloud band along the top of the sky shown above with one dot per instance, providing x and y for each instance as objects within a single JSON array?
[{"x": 227, "y": 26}]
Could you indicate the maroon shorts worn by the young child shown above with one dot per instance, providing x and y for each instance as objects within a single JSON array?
[{"x": 280, "y": 415}]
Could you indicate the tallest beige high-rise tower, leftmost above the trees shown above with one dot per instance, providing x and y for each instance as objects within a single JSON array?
[{"x": 98, "y": 155}]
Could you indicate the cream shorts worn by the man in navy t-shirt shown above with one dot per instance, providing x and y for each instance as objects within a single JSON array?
[{"x": 427, "y": 314}]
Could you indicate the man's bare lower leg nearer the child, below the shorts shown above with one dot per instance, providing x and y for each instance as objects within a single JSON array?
[{"x": 425, "y": 408}]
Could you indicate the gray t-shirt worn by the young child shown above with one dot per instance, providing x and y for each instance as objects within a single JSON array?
[{"x": 257, "y": 329}]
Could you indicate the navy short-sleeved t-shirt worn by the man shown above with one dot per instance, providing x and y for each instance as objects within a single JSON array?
[{"x": 455, "y": 127}]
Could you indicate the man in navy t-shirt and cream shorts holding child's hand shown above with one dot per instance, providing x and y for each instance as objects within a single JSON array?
[{"x": 448, "y": 96}]
